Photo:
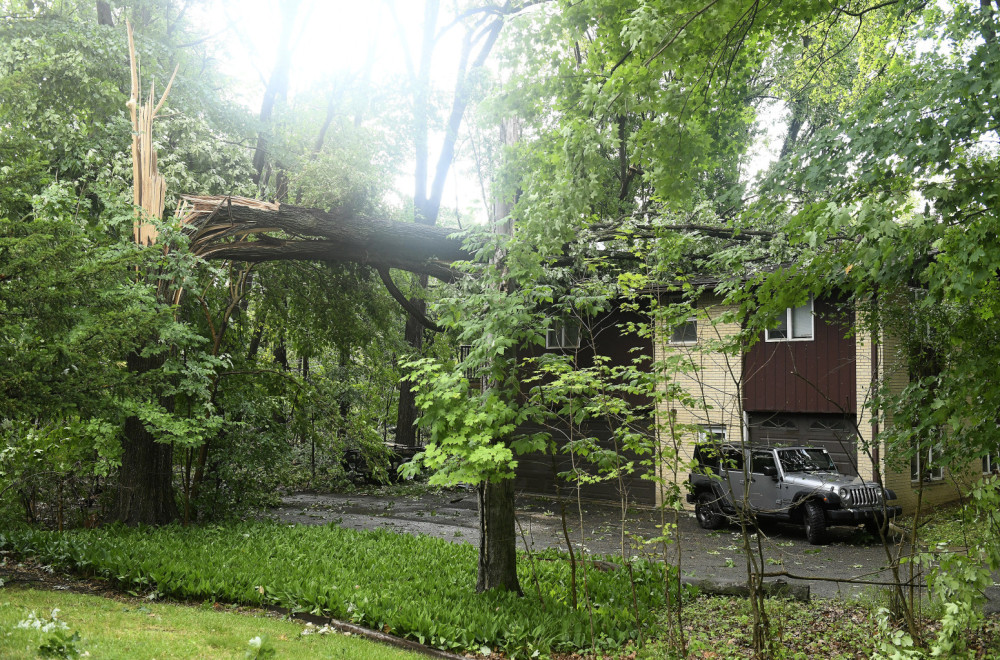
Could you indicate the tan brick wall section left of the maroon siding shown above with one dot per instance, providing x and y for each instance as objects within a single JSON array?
[{"x": 712, "y": 380}]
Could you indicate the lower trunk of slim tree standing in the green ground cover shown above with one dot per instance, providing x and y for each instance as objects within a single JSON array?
[{"x": 497, "y": 541}]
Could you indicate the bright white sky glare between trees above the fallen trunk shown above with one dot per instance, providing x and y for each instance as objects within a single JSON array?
[{"x": 333, "y": 38}]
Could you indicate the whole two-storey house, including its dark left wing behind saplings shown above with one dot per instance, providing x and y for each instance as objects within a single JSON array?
[{"x": 807, "y": 380}]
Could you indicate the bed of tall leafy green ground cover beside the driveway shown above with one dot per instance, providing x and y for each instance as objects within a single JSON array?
[{"x": 417, "y": 587}]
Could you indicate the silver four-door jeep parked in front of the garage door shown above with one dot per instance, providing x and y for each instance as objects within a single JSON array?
[{"x": 794, "y": 484}]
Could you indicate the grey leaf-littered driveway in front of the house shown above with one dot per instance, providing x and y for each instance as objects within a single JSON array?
[{"x": 597, "y": 529}]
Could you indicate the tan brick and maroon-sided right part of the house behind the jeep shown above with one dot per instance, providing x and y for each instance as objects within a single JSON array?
[{"x": 807, "y": 380}]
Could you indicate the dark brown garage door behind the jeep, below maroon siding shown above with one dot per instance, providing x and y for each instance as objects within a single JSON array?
[{"x": 835, "y": 433}]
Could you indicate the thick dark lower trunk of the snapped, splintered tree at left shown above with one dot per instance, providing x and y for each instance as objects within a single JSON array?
[{"x": 145, "y": 480}]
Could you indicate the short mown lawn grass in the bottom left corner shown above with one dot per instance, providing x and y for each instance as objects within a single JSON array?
[{"x": 135, "y": 629}]
